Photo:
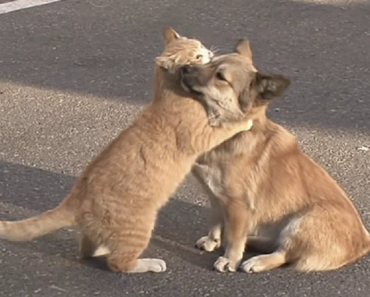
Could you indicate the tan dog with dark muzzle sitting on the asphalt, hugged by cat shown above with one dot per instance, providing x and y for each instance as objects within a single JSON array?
[{"x": 262, "y": 185}]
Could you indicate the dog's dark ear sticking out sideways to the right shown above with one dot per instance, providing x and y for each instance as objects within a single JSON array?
[{"x": 270, "y": 86}]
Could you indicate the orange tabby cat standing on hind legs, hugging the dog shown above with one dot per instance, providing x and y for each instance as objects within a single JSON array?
[{"x": 116, "y": 199}]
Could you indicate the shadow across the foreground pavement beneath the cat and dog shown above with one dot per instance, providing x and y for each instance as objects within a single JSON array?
[{"x": 50, "y": 263}]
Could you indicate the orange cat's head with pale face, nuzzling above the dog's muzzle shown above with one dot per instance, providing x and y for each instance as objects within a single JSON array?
[{"x": 180, "y": 50}]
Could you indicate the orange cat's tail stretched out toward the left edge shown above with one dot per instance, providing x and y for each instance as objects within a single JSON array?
[{"x": 47, "y": 222}]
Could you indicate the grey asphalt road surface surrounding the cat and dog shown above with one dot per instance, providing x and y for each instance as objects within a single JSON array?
[{"x": 74, "y": 73}]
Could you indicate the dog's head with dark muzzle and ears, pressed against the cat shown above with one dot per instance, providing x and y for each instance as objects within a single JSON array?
[{"x": 232, "y": 80}]
